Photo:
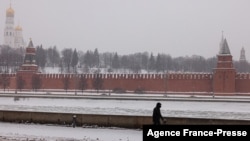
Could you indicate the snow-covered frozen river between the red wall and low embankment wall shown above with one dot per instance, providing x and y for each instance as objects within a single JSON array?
[{"x": 170, "y": 108}]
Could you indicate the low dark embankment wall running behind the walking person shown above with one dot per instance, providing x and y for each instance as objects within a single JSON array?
[{"x": 123, "y": 121}]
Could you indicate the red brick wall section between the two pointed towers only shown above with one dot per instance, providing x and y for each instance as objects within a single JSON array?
[{"x": 132, "y": 82}]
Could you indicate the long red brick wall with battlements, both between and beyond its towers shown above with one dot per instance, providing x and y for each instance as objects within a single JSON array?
[{"x": 174, "y": 82}]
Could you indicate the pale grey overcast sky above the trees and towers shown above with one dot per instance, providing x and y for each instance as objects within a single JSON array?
[{"x": 175, "y": 27}]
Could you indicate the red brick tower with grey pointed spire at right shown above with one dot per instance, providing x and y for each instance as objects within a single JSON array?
[{"x": 224, "y": 73}]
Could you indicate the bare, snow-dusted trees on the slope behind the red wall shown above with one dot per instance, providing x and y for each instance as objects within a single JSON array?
[{"x": 73, "y": 61}]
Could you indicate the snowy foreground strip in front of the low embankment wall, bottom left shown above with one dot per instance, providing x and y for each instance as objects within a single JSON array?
[{"x": 34, "y": 132}]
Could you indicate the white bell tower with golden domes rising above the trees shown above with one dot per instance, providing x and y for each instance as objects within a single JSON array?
[{"x": 13, "y": 36}]
